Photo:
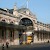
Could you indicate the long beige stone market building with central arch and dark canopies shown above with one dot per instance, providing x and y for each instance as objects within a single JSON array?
[{"x": 20, "y": 26}]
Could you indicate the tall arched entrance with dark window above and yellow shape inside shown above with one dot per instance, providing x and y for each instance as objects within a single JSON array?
[{"x": 26, "y": 35}]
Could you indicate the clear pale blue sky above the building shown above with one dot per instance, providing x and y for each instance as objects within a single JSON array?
[{"x": 41, "y": 8}]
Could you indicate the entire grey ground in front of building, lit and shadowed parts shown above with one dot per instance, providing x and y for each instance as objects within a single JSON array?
[{"x": 29, "y": 47}]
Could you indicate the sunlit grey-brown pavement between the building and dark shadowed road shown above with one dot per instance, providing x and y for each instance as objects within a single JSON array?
[{"x": 37, "y": 45}]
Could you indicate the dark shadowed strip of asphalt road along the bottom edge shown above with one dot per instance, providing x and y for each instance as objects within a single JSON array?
[{"x": 32, "y": 48}]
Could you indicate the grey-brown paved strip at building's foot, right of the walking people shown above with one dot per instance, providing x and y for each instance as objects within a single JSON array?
[{"x": 31, "y": 45}]
